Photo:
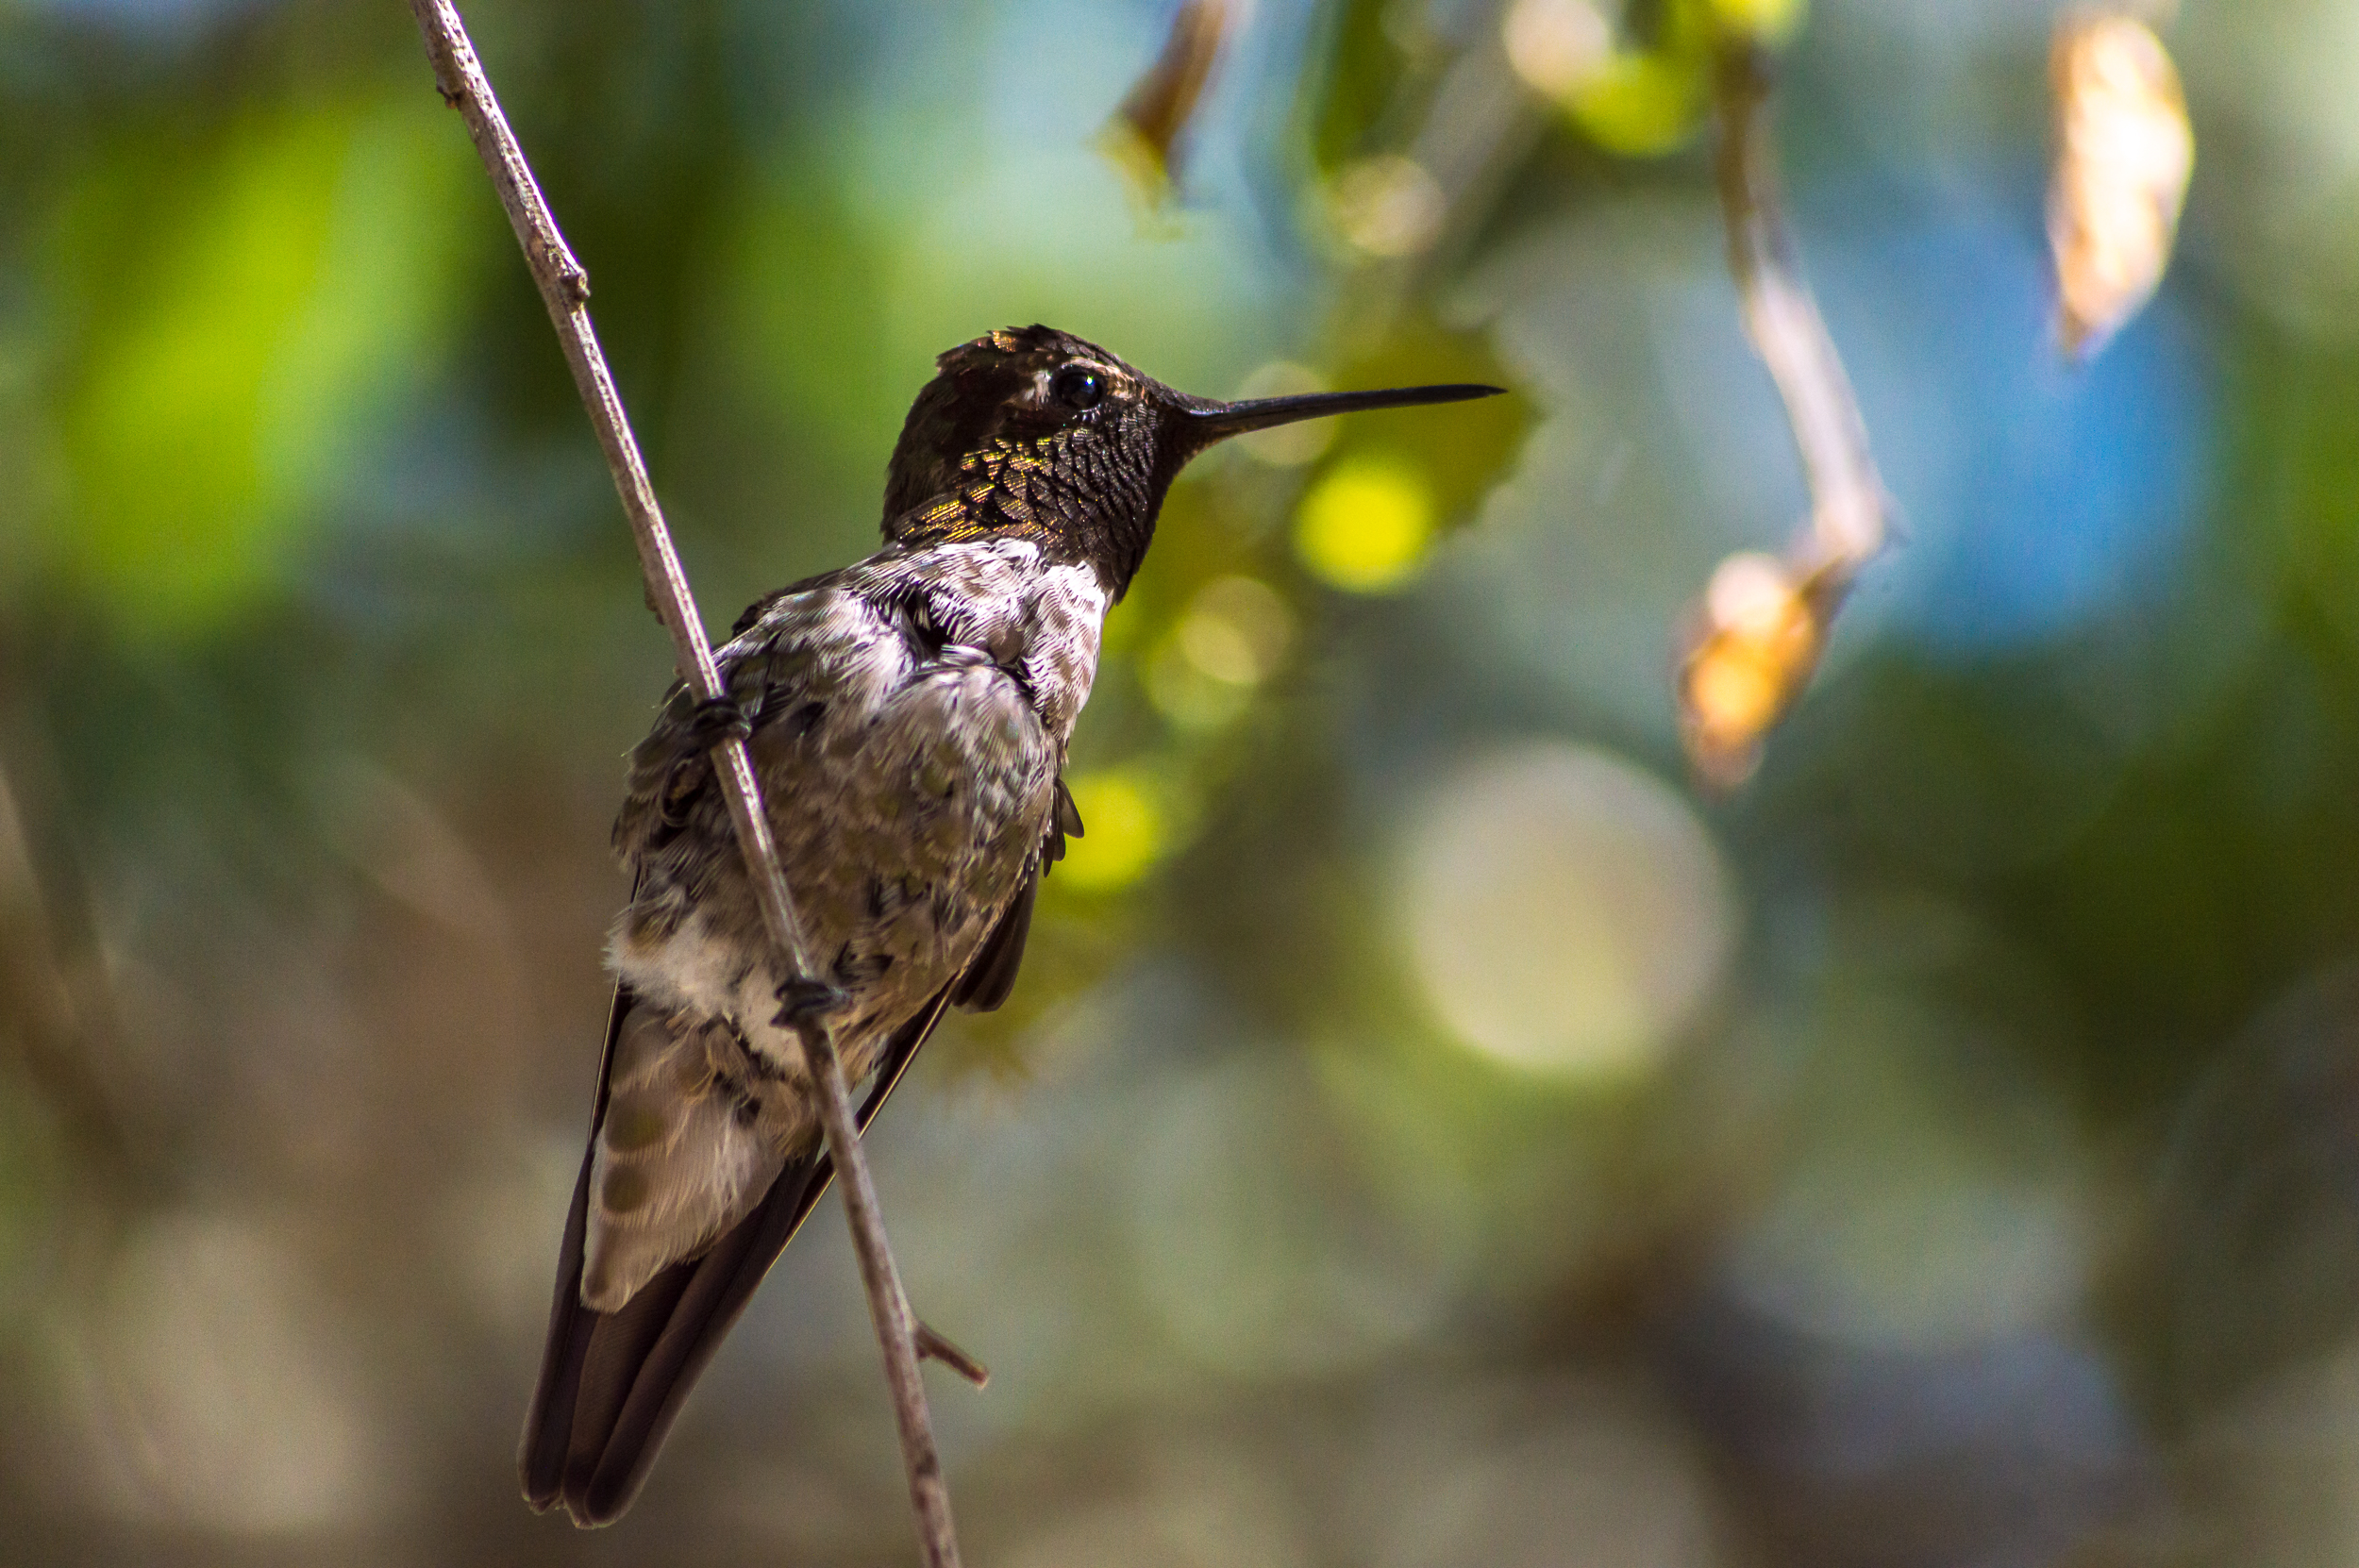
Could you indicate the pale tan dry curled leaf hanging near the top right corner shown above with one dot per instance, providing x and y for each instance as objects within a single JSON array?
[{"x": 2124, "y": 157}]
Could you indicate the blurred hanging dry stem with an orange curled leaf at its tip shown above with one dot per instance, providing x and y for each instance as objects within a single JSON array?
[{"x": 1763, "y": 621}]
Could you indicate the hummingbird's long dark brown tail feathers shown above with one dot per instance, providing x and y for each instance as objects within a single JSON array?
[{"x": 612, "y": 1383}]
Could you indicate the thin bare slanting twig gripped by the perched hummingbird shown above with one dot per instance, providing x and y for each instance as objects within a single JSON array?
[{"x": 565, "y": 289}]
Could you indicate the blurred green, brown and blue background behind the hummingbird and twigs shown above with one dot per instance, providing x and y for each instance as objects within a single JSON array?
[{"x": 1428, "y": 1128}]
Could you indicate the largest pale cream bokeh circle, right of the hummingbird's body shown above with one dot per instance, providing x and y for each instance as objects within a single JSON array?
[{"x": 1565, "y": 911}]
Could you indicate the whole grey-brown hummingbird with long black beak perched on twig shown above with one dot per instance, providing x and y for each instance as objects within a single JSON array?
[{"x": 909, "y": 720}]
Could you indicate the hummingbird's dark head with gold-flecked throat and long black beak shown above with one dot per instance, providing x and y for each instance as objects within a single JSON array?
[{"x": 1041, "y": 435}]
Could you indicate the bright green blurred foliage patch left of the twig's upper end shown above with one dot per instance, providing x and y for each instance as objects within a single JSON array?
[{"x": 256, "y": 310}]
